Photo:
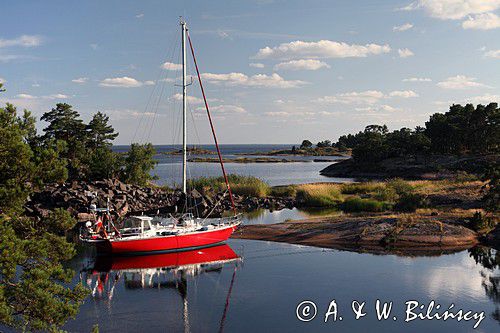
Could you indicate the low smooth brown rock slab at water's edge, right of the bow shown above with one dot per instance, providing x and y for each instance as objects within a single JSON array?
[{"x": 375, "y": 234}]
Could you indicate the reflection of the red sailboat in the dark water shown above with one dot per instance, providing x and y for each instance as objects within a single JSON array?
[{"x": 160, "y": 271}]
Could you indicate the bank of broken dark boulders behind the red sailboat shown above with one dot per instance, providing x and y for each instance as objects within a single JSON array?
[{"x": 77, "y": 196}]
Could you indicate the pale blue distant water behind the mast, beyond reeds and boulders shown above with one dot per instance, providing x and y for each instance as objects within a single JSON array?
[{"x": 169, "y": 167}]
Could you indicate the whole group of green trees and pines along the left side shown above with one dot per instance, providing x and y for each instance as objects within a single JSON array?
[{"x": 36, "y": 292}]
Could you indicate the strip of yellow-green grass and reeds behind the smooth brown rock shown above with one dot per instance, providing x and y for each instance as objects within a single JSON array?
[{"x": 397, "y": 195}]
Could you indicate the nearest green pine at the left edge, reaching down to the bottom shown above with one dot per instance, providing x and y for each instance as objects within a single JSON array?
[{"x": 34, "y": 294}]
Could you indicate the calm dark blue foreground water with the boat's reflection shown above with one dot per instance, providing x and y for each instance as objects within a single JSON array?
[{"x": 259, "y": 291}]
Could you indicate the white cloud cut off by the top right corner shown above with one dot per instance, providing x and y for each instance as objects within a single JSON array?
[{"x": 453, "y": 9}]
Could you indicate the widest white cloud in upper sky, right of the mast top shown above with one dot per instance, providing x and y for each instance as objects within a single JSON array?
[{"x": 320, "y": 49}]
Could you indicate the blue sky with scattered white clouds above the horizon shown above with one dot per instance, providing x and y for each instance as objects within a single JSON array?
[{"x": 274, "y": 71}]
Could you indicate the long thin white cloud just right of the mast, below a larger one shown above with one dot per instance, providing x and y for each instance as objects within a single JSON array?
[{"x": 258, "y": 80}]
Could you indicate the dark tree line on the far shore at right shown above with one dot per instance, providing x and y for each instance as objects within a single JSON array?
[{"x": 461, "y": 130}]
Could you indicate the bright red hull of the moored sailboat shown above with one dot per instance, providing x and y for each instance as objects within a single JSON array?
[{"x": 181, "y": 242}]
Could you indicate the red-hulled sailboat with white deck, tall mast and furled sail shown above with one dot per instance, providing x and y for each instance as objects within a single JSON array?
[{"x": 146, "y": 234}]
